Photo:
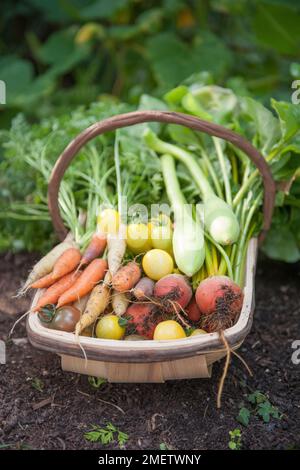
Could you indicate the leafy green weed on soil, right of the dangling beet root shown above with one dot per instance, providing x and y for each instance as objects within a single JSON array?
[{"x": 260, "y": 406}]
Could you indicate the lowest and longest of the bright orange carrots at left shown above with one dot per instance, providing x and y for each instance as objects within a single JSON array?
[{"x": 92, "y": 274}]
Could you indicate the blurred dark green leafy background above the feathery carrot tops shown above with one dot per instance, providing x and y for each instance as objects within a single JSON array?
[{"x": 71, "y": 52}]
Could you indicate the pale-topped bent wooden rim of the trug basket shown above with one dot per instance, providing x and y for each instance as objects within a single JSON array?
[{"x": 62, "y": 342}]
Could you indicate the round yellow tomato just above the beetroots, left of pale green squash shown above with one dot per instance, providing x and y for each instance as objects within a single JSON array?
[{"x": 157, "y": 264}]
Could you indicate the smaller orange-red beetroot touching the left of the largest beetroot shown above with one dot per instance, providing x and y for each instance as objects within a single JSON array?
[{"x": 174, "y": 291}]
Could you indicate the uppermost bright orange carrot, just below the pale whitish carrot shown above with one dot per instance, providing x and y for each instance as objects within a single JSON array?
[{"x": 66, "y": 263}]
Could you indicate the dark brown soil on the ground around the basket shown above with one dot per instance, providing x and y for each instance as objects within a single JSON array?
[{"x": 182, "y": 414}]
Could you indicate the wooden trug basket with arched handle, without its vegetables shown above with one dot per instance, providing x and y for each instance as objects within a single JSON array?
[{"x": 150, "y": 361}]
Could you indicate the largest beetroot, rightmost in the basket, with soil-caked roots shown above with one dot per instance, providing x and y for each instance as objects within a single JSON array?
[{"x": 220, "y": 301}]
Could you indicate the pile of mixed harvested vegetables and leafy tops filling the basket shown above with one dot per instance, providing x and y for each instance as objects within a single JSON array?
[{"x": 170, "y": 262}]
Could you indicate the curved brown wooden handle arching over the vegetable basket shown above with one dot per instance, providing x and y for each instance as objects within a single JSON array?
[{"x": 137, "y": 117}]
